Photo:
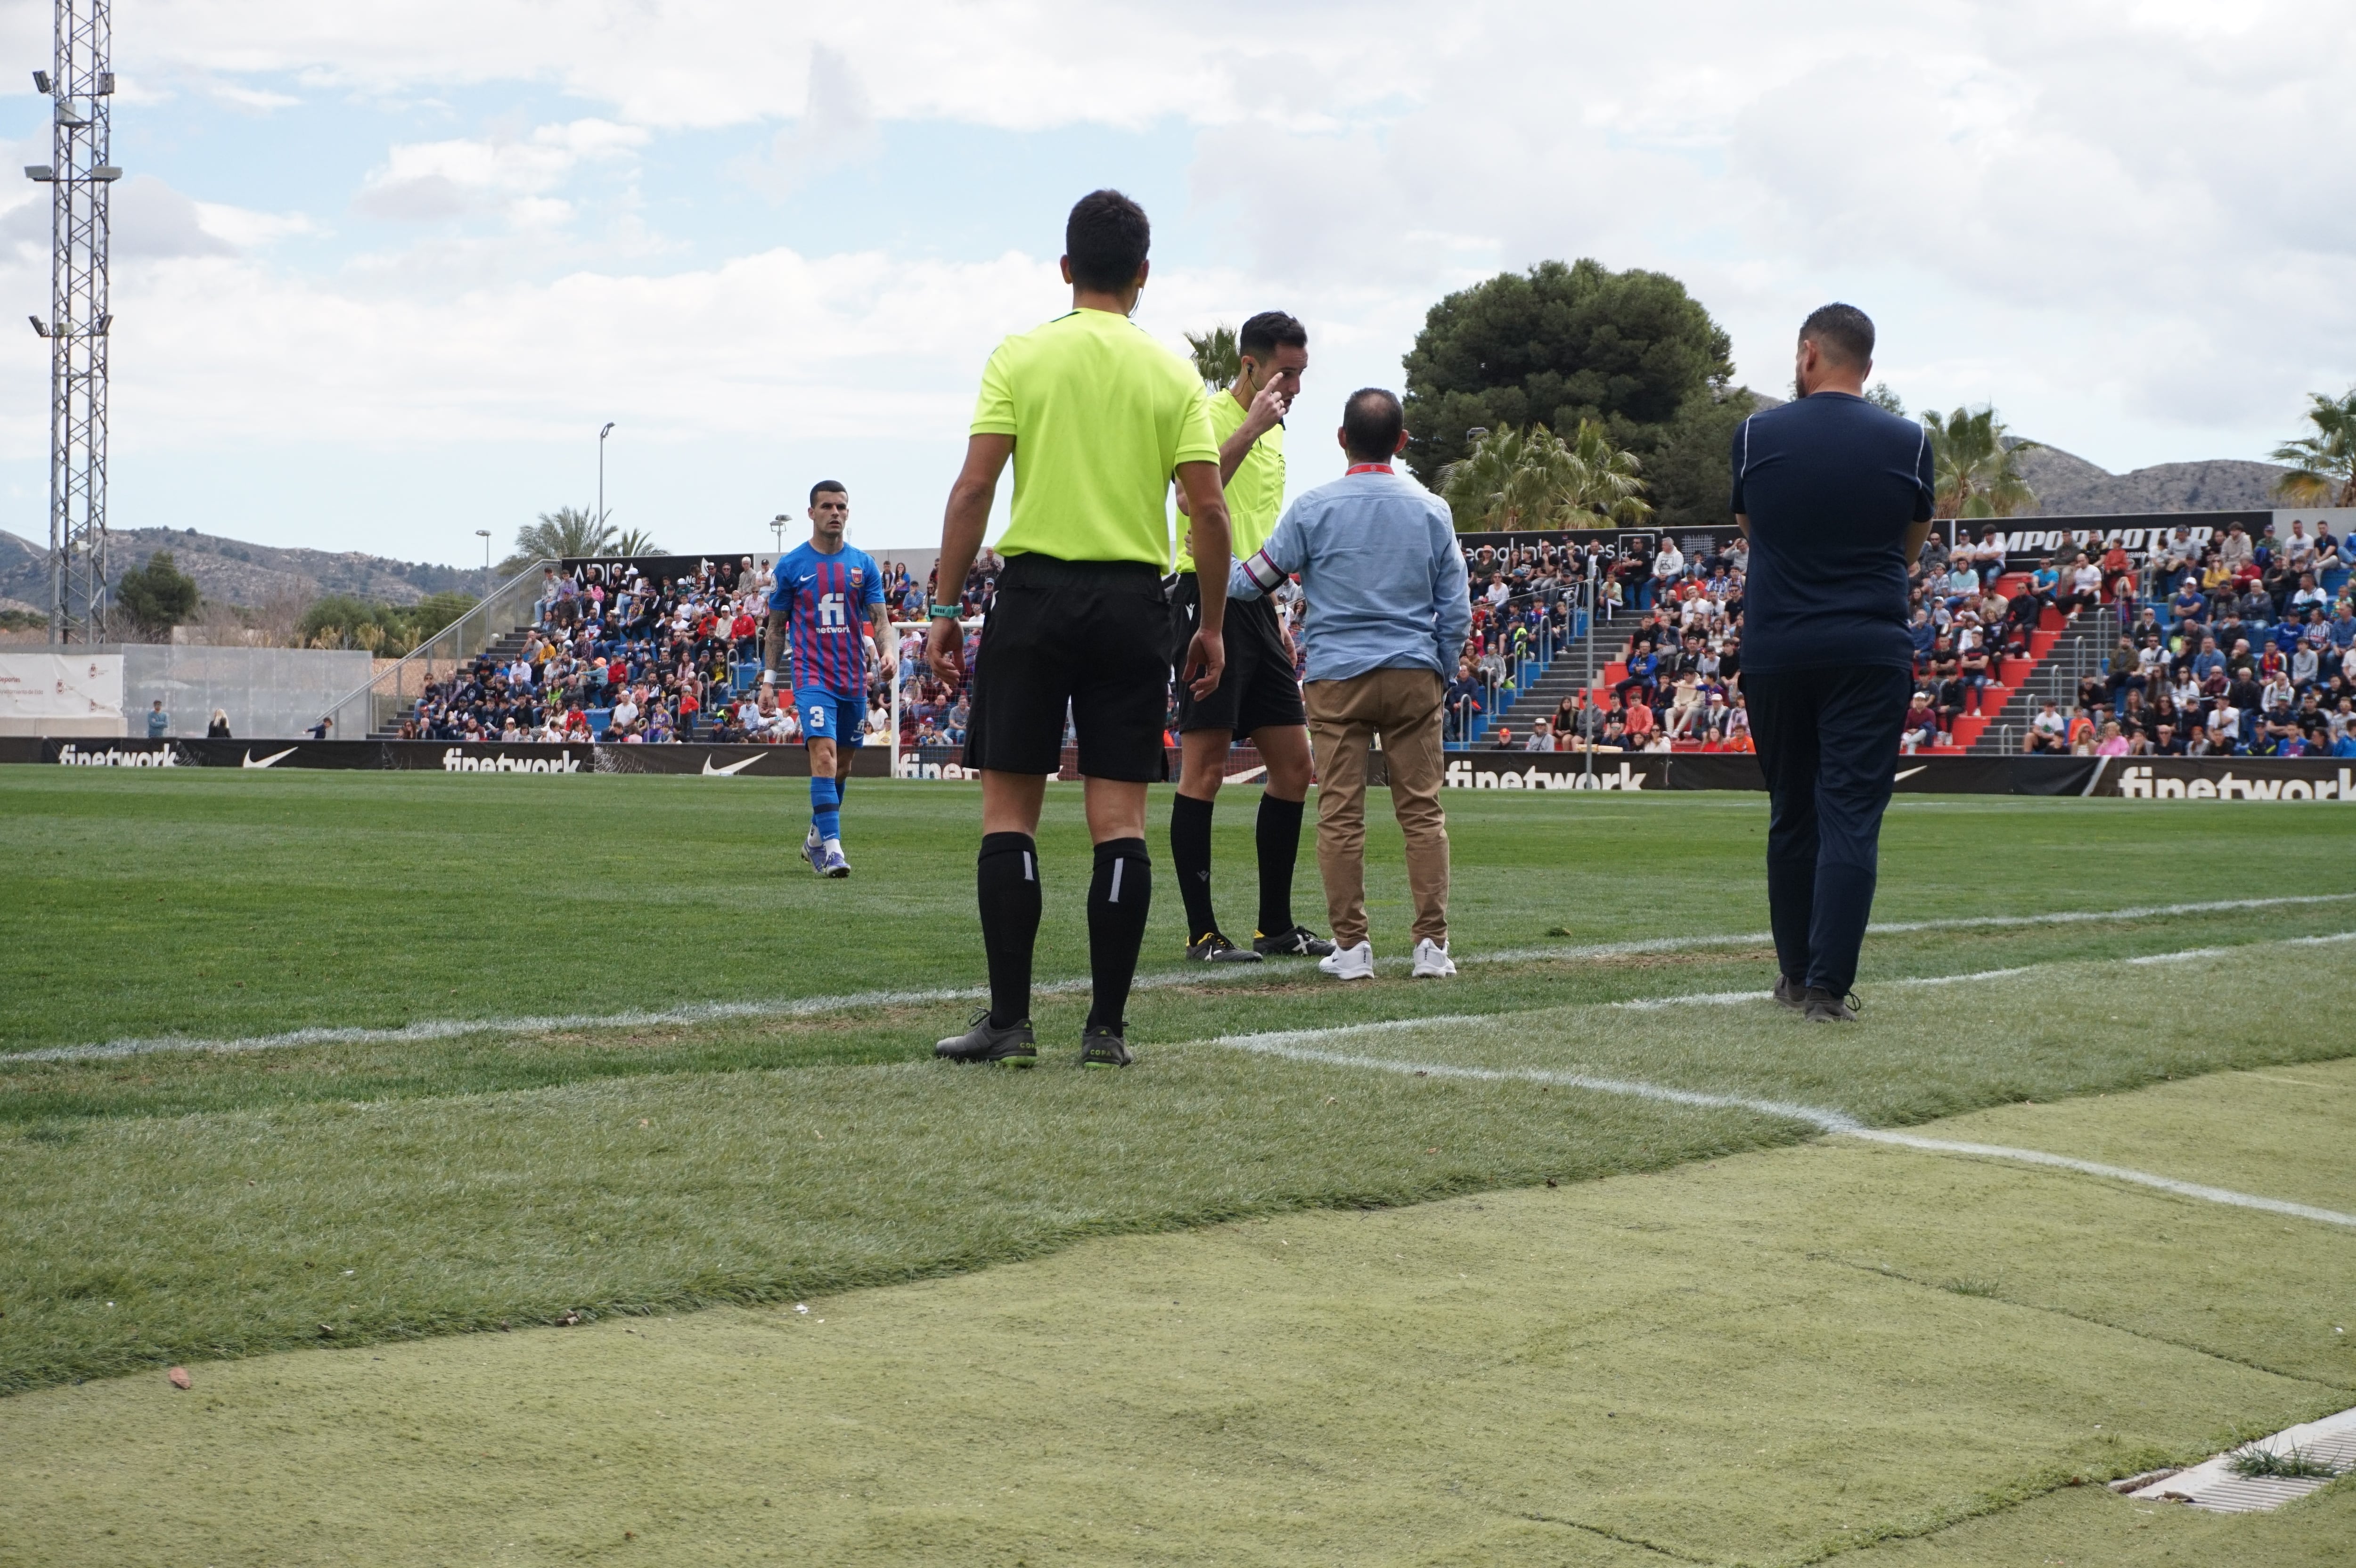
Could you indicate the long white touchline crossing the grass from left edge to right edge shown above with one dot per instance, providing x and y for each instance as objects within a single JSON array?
[{"x": 807, "y": 1006}]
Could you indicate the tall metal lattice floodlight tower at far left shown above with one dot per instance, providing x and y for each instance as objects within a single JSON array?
[{"x": 79, "y": 175}]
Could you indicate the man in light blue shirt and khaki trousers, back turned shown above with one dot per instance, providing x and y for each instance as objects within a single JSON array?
[{"x": 1387, "y": 620}]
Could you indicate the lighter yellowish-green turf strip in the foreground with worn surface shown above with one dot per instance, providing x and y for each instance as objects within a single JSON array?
[{"x": 1730, "y": 1362}]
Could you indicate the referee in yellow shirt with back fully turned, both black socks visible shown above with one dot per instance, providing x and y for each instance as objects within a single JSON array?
[{"x": 1099, "y": 420}]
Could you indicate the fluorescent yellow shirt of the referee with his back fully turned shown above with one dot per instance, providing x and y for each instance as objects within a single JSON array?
[{"x": 1101, "y": 416}]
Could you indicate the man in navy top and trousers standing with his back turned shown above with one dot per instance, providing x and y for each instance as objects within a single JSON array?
[{"x": 1837, "y": 500}]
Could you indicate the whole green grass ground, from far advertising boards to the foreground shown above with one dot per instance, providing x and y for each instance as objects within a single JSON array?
[{"x": 211, "y": 1207}]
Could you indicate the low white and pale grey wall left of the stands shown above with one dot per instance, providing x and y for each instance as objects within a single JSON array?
[{"x": 265, "y": 691}]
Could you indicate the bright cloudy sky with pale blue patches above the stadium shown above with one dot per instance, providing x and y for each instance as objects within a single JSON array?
[{"x": 385, "y": 270}]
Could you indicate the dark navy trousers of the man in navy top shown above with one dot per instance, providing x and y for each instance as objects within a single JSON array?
[{"x": 1829, "y": 743}]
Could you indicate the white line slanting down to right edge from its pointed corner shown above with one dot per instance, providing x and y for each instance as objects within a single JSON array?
[{"x": 1295, "y": 1047}]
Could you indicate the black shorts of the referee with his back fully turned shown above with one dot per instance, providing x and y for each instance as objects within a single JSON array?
[{"x": 1083, "y": 634}]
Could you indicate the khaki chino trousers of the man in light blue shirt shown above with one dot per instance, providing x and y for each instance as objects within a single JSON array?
[{"x": 1405, "y": 710}]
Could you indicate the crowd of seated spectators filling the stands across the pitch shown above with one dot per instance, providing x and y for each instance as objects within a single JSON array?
[{"x": 2235, "y": 646}]
